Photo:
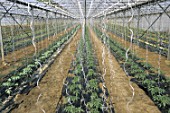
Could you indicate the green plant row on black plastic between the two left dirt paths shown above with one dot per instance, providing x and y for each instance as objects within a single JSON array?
[{"x": 24, "y": 78}]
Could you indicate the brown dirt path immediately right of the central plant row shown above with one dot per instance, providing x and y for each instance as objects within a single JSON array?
[{"x": 118, "y": 84}]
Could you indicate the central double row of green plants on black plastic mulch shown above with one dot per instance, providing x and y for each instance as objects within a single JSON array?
[{"x": 81, "y": 91}]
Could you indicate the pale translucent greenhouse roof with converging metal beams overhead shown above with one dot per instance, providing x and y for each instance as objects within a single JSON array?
[{"x": 82, "y": 8}]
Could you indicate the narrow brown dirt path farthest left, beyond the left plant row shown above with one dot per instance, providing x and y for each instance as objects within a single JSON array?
[{"x": 16, "y": 58}]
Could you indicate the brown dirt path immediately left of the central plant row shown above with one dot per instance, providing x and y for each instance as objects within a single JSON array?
[{"x": 51, "y": 85}]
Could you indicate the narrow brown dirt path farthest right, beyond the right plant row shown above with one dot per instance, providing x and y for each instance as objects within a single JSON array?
[{"x": 153, "y": 58}]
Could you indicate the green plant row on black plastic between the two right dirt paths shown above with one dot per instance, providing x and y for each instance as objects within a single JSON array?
[{"x": 150, "y": 79}]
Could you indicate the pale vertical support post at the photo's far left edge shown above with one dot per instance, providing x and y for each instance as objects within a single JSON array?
[{"x": 2, "y": 47}]
